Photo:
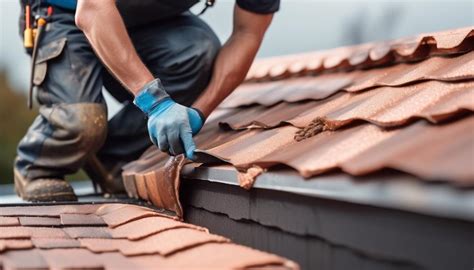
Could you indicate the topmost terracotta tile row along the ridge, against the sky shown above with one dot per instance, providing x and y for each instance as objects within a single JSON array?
[{"x": 365, "y": 55}]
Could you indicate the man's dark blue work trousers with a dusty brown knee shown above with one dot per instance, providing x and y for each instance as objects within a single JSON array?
[{"x": 72, "y": 121}]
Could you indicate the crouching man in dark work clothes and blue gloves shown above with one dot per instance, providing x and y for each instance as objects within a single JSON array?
[{"x": 154, "y": 56}]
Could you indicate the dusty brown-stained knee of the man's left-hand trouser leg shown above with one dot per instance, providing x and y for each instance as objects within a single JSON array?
[{"x": 81, "y": 126}]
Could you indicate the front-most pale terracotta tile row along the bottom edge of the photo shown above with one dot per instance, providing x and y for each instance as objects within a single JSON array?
[{"x": 201, "y": 257}]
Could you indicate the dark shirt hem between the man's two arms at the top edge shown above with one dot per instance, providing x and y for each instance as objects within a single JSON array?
[{"x": 136, "y": 13}]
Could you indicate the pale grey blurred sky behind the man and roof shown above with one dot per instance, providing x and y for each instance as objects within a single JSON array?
[{"x": 299, "y": 26}]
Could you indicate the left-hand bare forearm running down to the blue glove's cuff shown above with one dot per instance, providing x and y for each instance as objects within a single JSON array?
[{"x": 104, "y": 28}]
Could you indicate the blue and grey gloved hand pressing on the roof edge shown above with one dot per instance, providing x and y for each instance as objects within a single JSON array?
[{"x": 171, "y": 125}]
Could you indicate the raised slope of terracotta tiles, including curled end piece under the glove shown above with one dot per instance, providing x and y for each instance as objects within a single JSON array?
[{"x": 412, "y": 117}]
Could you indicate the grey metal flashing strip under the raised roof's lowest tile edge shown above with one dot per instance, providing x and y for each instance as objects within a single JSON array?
[{"x": 390, "y": 190}]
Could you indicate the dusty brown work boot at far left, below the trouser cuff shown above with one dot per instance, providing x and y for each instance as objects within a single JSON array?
[{"x": 43, "y": 189}]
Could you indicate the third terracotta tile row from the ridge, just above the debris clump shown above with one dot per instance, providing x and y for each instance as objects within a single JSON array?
[{"x": 384, "y": 106}]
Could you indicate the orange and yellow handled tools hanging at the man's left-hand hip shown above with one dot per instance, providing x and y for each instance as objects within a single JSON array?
[{"x": 32, "y": 37}]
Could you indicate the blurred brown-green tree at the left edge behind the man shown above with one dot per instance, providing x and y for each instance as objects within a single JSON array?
[{"x": 15, "y": 118}]
